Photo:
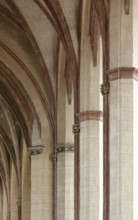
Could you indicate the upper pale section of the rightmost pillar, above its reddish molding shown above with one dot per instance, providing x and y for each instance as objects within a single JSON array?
[{"x": 121, "y": 35}]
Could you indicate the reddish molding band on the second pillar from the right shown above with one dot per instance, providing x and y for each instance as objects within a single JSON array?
[{"x": 90, "y": 115}]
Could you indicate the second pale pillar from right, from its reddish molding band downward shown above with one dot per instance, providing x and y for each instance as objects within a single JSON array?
[{"x": 91, "y": 127}]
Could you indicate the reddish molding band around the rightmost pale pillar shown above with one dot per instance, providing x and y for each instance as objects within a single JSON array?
[{"x": 122, "y": 73}]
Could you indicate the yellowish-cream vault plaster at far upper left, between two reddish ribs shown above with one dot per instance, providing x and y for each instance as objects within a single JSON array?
[{"x": 13, "y": 38}]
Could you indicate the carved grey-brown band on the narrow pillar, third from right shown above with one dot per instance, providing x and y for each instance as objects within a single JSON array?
[{"x": 62, "y": 148}]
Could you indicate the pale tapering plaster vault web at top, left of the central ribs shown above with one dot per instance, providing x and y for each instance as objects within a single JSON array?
[{"x": 43, "y": 32}]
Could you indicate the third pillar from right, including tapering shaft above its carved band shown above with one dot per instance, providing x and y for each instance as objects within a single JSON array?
[{"x": 64, "y": 147}]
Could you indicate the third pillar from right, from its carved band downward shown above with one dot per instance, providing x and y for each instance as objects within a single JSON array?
[{"x": 65, "y": 182}]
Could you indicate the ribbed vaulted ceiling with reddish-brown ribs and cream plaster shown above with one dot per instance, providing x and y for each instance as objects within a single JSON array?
[{"x": 32, "y": 35}]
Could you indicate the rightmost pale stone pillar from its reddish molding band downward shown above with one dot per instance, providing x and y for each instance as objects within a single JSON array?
[{"x": 123, "y": 143}]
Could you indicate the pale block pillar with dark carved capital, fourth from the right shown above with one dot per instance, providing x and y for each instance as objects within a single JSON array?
[{"x": 41, "y": 183}]
